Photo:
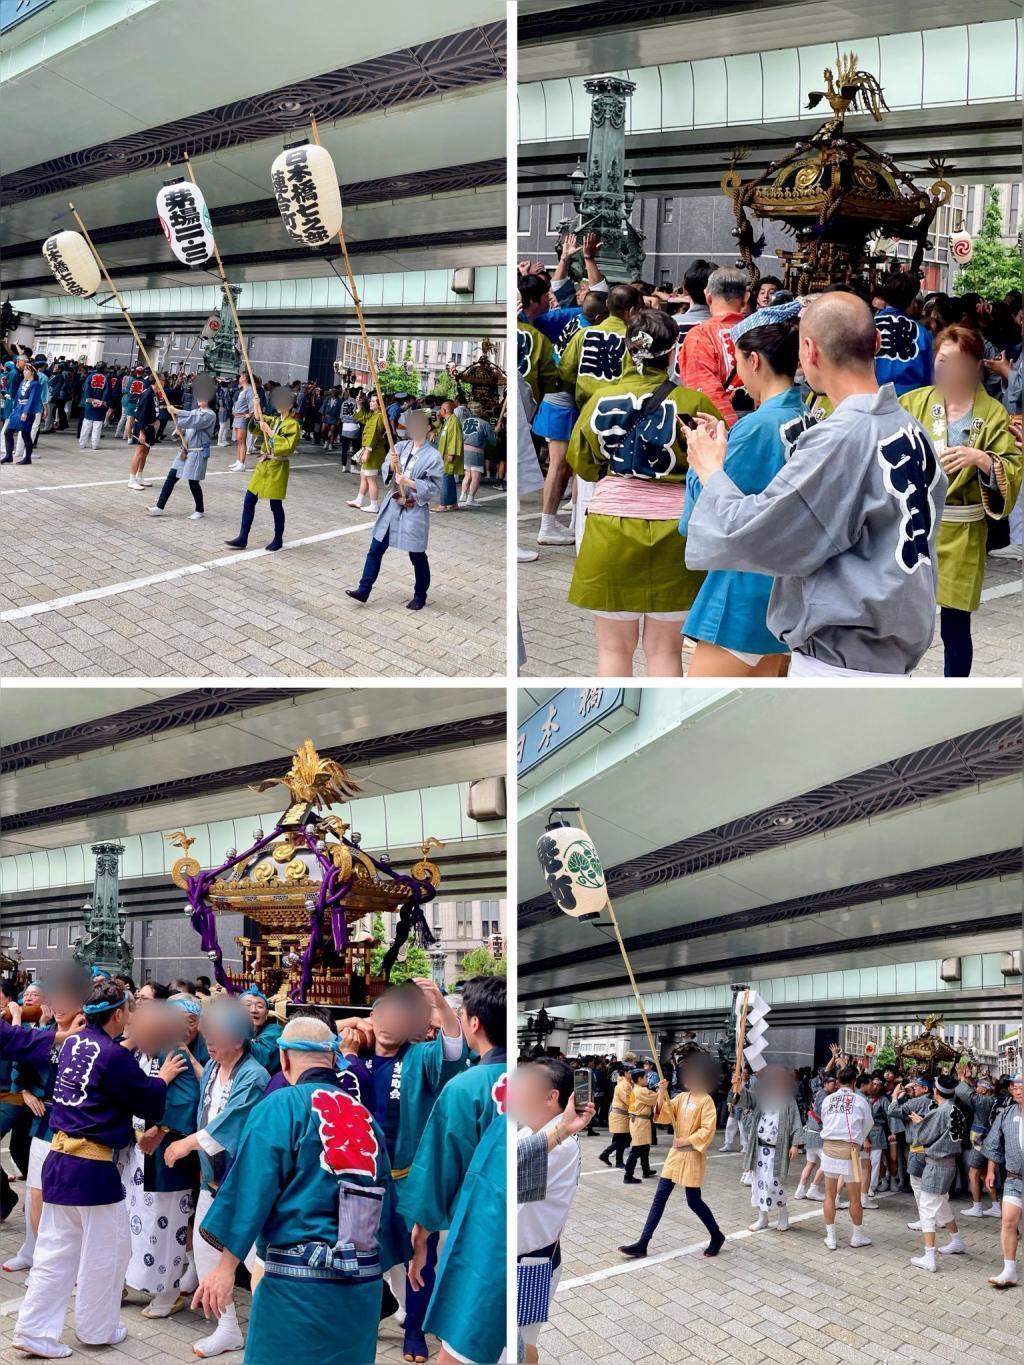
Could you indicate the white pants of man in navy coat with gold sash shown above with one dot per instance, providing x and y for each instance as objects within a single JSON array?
[{"x": 88, "y": 1244}]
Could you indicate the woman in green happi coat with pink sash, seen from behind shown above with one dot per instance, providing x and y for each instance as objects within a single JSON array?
[{"x": 630, "y": 440}]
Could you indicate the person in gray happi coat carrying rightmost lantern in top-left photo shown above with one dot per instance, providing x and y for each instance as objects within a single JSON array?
[{"x": 403, "y": 522}]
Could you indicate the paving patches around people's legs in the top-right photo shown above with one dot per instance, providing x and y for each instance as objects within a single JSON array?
[{"x": 560, "y": 638}]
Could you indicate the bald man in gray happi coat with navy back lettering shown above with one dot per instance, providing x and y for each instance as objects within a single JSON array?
[{"x": 849, "y": 526}]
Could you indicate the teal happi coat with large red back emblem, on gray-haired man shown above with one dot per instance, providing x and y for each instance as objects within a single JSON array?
[{"x": 302, "y": 1153}]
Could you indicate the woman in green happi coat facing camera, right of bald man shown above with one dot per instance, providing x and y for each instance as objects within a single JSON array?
[{"x": 971, "y": 433}]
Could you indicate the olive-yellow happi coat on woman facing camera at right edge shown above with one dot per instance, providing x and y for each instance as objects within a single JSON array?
[{"x": 962, "y": 545}]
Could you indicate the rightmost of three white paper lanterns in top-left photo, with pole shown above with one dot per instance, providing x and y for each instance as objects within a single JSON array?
[{"x": 309, "y": 200}]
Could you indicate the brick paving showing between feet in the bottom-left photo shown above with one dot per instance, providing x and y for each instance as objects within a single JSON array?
[{"x": 155, "y": 1342}]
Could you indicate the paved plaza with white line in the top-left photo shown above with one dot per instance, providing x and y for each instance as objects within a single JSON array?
[{"x": 91, "y": 586}]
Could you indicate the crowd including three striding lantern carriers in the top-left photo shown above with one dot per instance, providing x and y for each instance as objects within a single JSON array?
[{"x": 442, "y": 450}]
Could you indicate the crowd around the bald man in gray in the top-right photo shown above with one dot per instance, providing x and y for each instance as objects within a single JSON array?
[{"x": 790, "y": 485}]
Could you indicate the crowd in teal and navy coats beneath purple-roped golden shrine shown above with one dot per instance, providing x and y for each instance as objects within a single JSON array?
[{"x": 178, "y": 1142}]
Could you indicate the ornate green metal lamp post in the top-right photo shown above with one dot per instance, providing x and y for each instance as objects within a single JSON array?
[{"x": 603, "y": 192}]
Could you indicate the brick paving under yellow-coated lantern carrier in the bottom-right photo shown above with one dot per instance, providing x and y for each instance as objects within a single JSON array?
[{"x": 768, "y": 1296}]
